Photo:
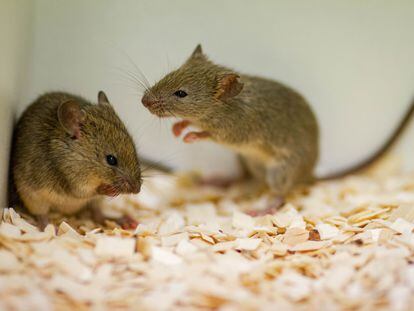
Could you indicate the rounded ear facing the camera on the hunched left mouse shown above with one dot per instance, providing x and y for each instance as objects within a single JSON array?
[{"x": 71, "y": 116}]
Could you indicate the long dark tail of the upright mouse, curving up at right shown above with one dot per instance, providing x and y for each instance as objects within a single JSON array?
[{"x": 387, "y": 146}]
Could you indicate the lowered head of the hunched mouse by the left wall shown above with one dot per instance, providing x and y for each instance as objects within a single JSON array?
[{"x": 99, "y": 156}]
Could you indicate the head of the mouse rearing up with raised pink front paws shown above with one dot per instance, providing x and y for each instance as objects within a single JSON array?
[{"x": 193, "y": 90}]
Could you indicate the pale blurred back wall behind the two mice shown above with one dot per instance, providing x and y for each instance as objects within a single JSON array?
[{"x": 351, "y": 59}]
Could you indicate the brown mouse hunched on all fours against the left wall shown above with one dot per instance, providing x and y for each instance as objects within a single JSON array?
[{"x": 69, "y": 153}]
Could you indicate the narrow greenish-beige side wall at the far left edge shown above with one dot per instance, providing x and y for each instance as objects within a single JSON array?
[{"x": 15, "y": 34}]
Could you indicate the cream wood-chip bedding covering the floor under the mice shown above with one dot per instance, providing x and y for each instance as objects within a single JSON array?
[{"x": 337, "y": 245}]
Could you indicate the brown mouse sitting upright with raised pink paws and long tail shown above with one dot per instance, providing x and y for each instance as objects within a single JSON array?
[{"x": 270, "y": 125}]
